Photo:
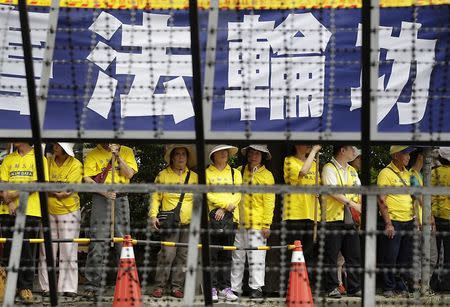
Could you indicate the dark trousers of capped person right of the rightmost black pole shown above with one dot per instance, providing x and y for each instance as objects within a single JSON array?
[{"x": 398, "y": 254}]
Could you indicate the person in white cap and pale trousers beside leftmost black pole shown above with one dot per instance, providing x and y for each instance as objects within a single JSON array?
[{"x": 64, "y": 214}]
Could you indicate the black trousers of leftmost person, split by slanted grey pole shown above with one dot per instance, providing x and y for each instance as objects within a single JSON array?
[{"x": 27, "y": 264}]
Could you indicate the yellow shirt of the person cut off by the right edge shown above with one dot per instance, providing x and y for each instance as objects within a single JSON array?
[{"x": 441, "y": 203}]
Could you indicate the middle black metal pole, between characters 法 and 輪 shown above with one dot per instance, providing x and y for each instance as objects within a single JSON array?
[{"x": 200, "y": 144}]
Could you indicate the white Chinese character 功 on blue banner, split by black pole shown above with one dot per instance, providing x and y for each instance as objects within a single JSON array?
[{"x": 409, "y": 55}]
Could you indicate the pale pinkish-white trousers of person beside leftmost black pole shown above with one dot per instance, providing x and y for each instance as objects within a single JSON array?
[{"x": 64, "y": 226}]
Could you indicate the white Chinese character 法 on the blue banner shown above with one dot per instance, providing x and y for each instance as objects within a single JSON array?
[{"x": 155, "y": 60}]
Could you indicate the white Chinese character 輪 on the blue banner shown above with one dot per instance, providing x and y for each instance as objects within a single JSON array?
[{"x": 291, "y": 82}]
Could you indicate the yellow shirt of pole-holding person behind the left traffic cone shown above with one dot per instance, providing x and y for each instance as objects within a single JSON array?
[{"x": 97, "y": 160}]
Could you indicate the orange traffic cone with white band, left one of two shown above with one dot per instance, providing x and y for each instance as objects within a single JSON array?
[{"x": 128, "y": 288}]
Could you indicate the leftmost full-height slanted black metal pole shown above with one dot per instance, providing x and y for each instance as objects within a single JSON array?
[{"x": 37, "y": 141}]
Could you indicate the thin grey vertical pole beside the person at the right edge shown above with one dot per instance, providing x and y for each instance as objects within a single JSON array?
[{"x": 426, "y": 230}]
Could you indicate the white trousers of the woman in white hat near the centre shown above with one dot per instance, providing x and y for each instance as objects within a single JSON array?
[{"x": 256, "y": 259}]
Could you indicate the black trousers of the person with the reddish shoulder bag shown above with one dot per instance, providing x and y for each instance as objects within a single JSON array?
[{"x": 345, "y": 239}]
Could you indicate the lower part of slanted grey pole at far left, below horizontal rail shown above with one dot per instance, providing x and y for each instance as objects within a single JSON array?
[{"x": 16, "y": 250}]
